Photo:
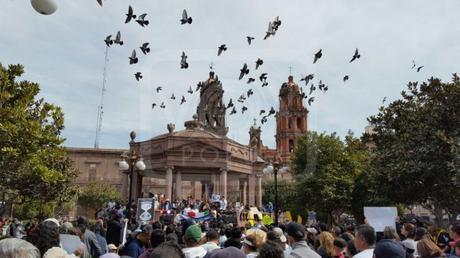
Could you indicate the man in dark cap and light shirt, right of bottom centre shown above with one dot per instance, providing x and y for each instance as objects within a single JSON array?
[{"x": 296, "y": 239}]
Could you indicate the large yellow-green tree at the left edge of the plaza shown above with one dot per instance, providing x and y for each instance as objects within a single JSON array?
[{"x": 34, "y": 165}]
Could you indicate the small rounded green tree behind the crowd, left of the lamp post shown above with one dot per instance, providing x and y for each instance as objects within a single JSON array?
[{"x": 96, "y": 194}]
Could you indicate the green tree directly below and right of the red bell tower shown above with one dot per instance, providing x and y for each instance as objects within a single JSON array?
[{"x": 325, "y": 171}]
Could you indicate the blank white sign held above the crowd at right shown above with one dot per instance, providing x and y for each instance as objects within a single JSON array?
[{"x": 380, "y": 217}]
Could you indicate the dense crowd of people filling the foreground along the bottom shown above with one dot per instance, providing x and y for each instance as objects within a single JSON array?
[{"x": 105, "y": 238}]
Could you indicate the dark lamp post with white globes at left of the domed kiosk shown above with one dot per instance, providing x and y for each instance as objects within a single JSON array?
[{"x": 130, "y": 161}]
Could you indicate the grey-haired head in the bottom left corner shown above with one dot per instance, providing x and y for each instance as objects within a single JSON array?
[{"x": 18, "y": 248}]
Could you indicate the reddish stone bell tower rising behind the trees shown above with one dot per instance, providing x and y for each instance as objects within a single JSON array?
[{"x": 291, "y": 119}]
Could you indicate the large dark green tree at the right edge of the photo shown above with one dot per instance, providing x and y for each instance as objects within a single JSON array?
[{"x": 416, "y": 143}]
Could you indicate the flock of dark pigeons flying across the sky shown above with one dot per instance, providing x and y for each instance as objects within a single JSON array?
[{"x": 273, "y": 27}]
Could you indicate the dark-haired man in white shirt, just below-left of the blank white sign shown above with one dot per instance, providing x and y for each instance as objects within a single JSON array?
[{"x": 365, "y": 241}]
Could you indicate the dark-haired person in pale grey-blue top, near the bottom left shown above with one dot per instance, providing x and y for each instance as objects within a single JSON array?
[{"x": 70, "y": 240}]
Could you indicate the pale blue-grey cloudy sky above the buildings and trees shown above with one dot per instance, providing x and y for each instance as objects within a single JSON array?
[{"x": 64, "y": 52}]
